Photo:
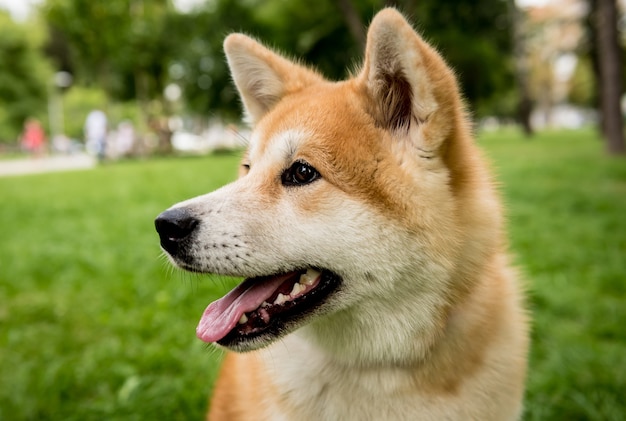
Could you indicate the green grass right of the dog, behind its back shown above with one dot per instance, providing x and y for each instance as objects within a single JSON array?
[{"x": 567, "y": 220}]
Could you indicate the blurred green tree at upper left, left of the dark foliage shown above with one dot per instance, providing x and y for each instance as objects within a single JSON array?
[{"x": 122, "y": 46}]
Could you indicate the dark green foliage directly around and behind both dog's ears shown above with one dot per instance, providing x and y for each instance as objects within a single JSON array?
[{"x": 474, "y": 36}]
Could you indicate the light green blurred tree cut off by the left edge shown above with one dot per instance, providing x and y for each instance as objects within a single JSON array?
[{"x": 24, "y": 76}]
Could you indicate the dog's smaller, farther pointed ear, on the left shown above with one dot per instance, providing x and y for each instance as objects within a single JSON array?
[{"x": 263, "y": 77}]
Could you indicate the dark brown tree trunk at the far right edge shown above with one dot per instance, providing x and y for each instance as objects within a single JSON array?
[{"x": 610, "y": 69}]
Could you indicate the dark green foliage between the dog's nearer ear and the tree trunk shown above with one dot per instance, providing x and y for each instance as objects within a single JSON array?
[{"x": 475, "y": 38}]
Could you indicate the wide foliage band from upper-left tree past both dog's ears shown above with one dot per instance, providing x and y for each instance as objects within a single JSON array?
[{"x": 134, "y": 48}]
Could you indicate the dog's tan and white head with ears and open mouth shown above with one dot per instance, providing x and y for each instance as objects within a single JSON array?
[{"x": 349, "y": 196}]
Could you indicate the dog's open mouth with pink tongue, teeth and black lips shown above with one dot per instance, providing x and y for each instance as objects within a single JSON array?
[{"x": 265, "y": 306}]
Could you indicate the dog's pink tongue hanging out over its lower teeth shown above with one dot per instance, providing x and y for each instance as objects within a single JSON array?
[{"x": 222, "y": 315}]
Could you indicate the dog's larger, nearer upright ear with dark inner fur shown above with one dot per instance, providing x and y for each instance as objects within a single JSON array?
[{"x": 409, "y": 86}]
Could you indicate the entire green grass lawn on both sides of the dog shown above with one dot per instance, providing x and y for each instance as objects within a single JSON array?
[{"x": 95, "y": 324}]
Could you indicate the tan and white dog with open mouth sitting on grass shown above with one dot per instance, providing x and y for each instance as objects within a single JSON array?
[{"x": 370, "y": 235}]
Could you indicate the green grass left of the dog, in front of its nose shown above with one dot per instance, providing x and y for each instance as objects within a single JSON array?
[{"x": 94, "y": 323}]
